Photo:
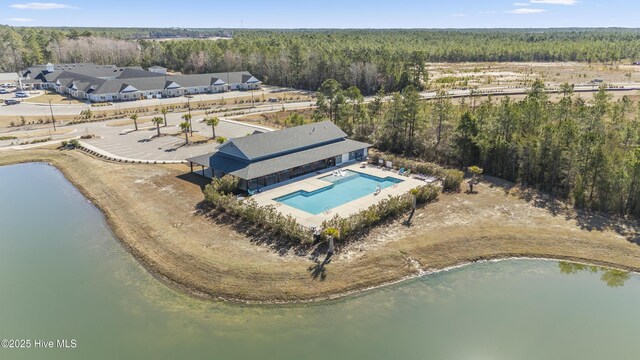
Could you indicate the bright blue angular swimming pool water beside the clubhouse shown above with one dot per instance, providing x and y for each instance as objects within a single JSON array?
[{"x": 341, "y": 190}]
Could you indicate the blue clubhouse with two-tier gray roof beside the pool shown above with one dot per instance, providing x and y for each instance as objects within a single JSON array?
[{"x": 264, "y": 159}]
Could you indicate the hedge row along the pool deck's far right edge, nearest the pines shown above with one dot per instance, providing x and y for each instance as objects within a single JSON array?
[{"x": 451, "y": 178}]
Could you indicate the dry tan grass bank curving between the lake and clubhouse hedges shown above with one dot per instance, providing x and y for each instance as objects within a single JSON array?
[{"x": 152, "y": 211}]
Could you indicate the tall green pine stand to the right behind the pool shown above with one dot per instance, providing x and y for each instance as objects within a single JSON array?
[{"x": 584, "y": 151}]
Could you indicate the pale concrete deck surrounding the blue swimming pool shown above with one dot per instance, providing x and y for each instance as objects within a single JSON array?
[{"x": 311, "y": 182}]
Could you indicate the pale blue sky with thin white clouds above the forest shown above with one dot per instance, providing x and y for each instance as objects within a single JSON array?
[{"x": 324, "y": 13}]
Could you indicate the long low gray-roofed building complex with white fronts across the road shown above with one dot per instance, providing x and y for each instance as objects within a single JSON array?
[{"x": 102, "y": 83}]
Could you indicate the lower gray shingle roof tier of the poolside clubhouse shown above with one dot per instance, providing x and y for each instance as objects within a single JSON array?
[{"x": 252, "y": 170}]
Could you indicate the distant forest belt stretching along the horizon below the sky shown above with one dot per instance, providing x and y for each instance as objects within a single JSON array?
[{"x": 371, "y": 60}]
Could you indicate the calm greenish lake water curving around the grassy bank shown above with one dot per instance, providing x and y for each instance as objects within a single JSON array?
[{"x": 64, "y": 276}]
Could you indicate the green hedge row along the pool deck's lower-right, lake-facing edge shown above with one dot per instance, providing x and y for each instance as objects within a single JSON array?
[{"x": 387, "y": 209}]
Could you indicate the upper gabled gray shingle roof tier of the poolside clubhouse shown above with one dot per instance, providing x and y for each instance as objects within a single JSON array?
[{"x": 272, "y": 143}]
